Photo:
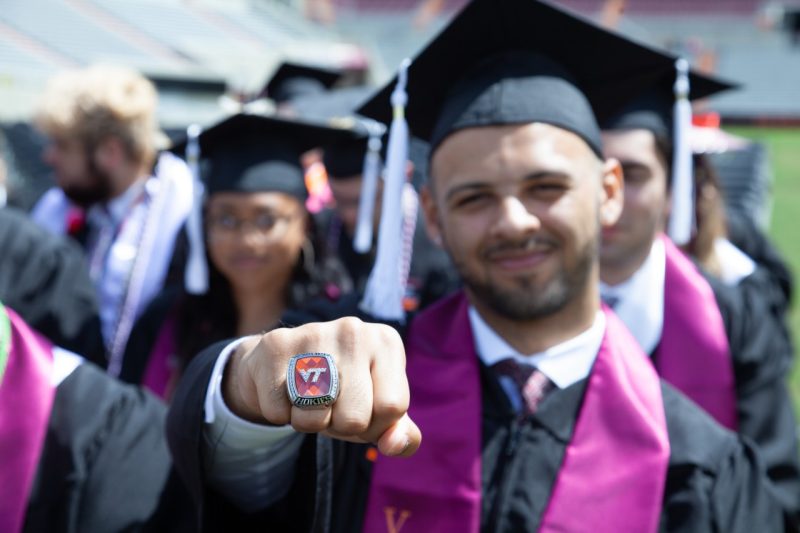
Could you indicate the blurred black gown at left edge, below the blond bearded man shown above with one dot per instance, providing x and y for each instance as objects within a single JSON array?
[{"x": 45, "y": 279}]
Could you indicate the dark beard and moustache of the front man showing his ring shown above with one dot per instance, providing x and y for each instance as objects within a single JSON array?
[{"x": 530, "y": 300}]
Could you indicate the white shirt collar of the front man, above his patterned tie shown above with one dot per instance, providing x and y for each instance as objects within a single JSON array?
[{"x": 564, "y": 364}]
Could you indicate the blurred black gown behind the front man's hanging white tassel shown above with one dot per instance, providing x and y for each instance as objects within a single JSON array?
[{"x": 431, "y": 277}]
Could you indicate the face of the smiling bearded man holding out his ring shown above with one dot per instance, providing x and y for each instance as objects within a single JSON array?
[{"x": 518, "y": 209}]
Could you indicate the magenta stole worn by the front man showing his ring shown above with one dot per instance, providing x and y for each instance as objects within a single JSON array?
[{"x": 439, "y": 488}]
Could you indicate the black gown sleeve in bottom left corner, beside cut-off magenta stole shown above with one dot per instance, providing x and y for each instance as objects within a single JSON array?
[{"x": 105, "y": 466}]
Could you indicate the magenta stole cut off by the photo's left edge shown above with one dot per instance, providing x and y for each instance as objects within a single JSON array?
[{"x": 26, "y": 398}]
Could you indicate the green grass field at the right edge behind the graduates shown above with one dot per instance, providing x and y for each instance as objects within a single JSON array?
[{"x": 784, "y": 148}]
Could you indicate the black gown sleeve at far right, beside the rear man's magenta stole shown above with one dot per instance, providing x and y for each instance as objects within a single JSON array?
[{"x": 761, "y": 362}]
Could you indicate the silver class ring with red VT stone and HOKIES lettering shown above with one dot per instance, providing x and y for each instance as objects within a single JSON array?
[{"x": 312, "y": 380}]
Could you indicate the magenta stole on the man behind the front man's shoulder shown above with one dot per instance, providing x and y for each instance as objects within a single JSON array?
[{"x": 693, "y": 354}]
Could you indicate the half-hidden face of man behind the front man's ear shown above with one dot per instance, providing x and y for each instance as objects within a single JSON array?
[{"x": 627, "y": 244}]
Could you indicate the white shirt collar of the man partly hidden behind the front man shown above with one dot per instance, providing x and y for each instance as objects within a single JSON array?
[{"x": 640, "y": 299}]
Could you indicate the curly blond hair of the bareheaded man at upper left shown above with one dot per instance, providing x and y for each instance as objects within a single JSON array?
[{"x": 98, "y": 102}]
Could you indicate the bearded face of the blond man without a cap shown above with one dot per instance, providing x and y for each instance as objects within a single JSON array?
[{"x": 76, "y": 171}]
